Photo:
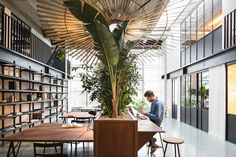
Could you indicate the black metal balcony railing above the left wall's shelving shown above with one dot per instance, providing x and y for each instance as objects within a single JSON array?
[{"x": 16, "y": 35}]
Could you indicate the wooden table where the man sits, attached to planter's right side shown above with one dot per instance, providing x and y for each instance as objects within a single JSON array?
[{"x": 146, "y": 130}]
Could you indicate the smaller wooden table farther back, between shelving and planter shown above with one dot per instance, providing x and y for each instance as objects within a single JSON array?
[{"x": 76, "y": 115}]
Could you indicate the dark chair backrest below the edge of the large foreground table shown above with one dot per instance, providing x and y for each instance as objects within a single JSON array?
[{"x": 39, "y": 149}]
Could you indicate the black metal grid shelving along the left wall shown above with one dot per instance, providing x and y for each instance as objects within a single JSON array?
[{"x": 19, "y": 124}]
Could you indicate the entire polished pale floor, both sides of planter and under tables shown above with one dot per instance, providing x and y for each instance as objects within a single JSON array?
[{"x": 197, "y": 144}]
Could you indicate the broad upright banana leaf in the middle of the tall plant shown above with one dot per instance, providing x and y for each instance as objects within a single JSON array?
[{"x": 108, "y": 43}]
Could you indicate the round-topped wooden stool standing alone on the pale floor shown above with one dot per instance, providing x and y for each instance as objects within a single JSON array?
[{"x": 175, "y": 141}]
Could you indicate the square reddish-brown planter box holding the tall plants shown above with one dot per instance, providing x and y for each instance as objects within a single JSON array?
[{"x": 115, "y": 138}]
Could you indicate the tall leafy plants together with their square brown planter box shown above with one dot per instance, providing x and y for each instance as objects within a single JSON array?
[{"x": 112, "y": 82}]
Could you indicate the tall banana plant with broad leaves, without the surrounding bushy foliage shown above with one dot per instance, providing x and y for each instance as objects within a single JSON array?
[{"x": 109, "y": 44}]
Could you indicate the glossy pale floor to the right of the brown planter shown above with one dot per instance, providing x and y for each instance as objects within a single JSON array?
[{"x": 197, "y": 143}]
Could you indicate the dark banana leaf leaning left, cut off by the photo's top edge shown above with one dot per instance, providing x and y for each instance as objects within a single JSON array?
[{"x": 85, "y": 12}]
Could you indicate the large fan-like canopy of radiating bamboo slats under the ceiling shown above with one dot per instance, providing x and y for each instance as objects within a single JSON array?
[{"x": 146, "y": 22}]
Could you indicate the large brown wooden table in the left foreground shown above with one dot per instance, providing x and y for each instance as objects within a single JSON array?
[{"x": 48, "y": 133}]
